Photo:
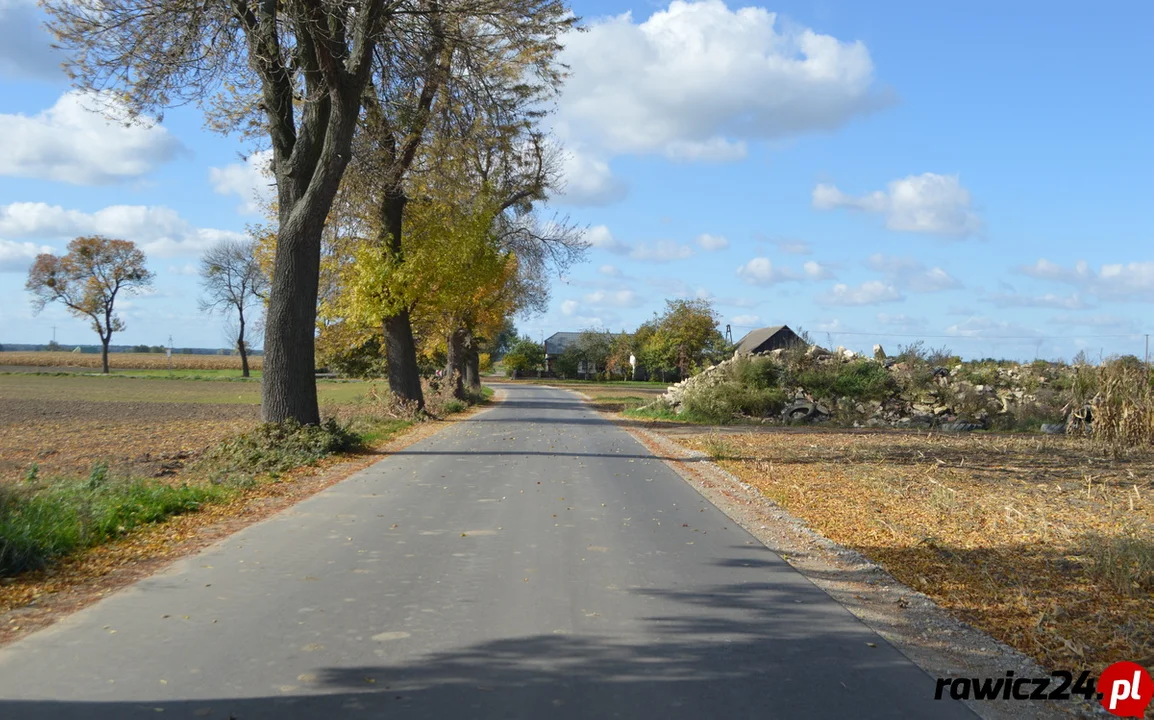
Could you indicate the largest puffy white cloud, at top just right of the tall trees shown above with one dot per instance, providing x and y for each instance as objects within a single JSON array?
[{"x": 698, "y": 80}]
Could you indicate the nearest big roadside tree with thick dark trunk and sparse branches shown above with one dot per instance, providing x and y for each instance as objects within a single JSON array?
[{"x": 311, "y": 61}]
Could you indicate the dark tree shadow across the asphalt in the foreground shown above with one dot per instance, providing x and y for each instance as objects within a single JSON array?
[{"x": 775, "y": 648}]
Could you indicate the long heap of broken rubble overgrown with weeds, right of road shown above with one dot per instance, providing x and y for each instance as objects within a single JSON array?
[{"x": 950, "y": 401}]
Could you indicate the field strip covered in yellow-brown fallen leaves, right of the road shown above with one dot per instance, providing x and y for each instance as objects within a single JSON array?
[{"x": 1047, "y": 544}]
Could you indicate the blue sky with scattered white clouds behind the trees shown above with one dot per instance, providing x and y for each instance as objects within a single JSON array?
[{"x": 976, "y": 175}]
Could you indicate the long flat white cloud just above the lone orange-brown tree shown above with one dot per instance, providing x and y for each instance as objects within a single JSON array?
[{"x": 160, "y": 231}]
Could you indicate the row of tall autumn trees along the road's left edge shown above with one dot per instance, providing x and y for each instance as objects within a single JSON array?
[{"x": 407, "y": 154}]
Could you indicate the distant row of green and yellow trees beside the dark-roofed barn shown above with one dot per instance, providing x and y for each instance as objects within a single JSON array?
[{"x": 673, "y": 346}]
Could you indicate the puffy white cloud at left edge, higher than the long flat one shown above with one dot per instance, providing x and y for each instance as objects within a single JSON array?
[{"x": 71, "y": 144}]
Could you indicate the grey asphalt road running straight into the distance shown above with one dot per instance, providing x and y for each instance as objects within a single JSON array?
[{"x": 534, "y": 561}]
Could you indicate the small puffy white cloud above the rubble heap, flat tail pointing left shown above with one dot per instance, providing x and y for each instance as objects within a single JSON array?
[{"x": 927, "y": 204}]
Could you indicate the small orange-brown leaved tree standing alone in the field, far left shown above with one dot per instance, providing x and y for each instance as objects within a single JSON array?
[{"x": 88, "y": 280}]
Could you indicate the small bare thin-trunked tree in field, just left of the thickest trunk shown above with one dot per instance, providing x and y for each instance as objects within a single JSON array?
[{"x": 234, "y": 281}]
